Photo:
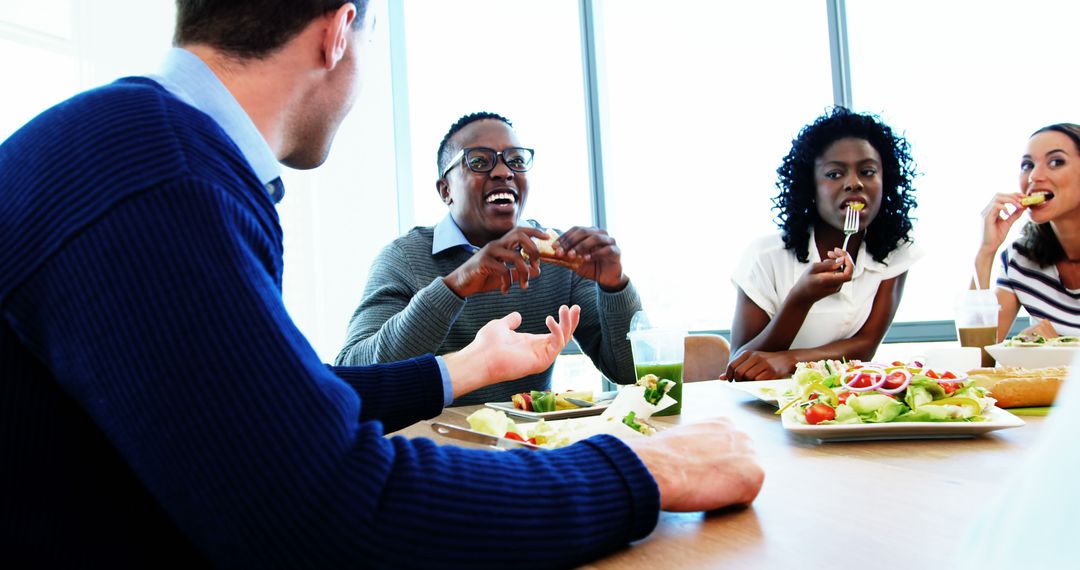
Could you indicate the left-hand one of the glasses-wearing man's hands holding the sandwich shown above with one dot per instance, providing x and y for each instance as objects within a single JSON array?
[{"x": 498, "y": 265}]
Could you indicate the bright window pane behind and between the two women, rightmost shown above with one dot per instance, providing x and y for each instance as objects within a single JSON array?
[{"x": 969, "y": 92}]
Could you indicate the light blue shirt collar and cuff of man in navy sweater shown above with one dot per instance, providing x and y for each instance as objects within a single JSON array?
[{"x": 192, "y": 80}]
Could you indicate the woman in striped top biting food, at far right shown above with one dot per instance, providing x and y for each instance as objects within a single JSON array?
[{"x": 1042, "y": 270}]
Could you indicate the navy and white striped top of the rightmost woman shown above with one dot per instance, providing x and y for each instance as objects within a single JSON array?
[{"x": 1041, "y": 291}]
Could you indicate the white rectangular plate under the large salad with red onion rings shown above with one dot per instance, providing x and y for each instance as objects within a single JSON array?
[{"x": 1000, "y": 419}]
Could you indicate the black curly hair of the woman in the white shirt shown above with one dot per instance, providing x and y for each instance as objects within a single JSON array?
[{"x": 795, "y": 203}]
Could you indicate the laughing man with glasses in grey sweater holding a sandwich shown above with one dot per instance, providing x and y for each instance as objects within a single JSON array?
[{"x": 431, "y": 290}]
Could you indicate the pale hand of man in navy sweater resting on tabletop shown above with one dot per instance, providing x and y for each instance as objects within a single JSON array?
[{"x": 701, "y": 467}]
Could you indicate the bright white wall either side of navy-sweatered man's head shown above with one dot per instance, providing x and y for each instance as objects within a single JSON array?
[{"x": 335, "y": 219}]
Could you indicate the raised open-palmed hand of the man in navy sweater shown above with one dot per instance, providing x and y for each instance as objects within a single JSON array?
[{"x": 498, "y": 354}]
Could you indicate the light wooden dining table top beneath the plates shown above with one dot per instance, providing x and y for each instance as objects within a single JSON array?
[{"x": 898, "y": 504}]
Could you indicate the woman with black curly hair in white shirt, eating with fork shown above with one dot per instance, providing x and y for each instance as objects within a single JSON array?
[{"x": 801, "y": 296}]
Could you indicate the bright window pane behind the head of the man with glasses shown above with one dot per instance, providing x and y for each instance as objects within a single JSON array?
[{"x": 518, "y": 59}]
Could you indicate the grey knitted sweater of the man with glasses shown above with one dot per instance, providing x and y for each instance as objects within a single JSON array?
[{"x": 409, "y": 311}]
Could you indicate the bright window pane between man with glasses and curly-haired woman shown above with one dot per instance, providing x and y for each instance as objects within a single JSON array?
[{"x": 703, "y": 103}]
